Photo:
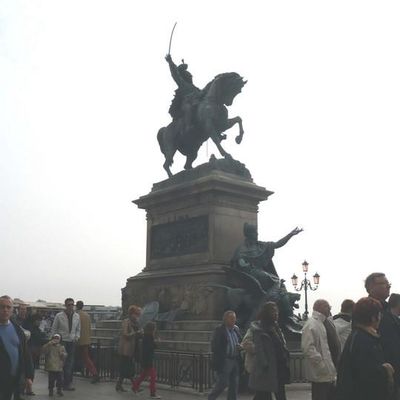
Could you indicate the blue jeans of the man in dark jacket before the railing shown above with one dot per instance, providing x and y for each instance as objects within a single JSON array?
[{"x": 228, "y": 377}]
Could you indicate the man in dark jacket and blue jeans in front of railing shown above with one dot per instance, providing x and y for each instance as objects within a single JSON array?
[{"x": 225, "y": 346}]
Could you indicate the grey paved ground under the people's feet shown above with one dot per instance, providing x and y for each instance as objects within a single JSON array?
[{"x": 106, "y": 390}]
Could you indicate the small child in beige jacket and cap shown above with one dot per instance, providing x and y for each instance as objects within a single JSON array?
[{"x": 55, "y": 355}]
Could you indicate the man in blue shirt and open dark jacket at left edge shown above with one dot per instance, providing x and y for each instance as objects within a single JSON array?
[{"x": 14, "y": 354}]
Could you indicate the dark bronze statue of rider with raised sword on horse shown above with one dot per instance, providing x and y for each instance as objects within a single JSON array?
[{"x": 198, "y": 114}]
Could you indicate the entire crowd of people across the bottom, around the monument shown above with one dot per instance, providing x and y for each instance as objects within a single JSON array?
[{"x": 353, "y": 355}]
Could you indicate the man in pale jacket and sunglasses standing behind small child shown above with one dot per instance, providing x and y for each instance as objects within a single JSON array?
[{"x": 67, "y": 324}]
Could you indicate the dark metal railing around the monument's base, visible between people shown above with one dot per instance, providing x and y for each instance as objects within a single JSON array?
[{"x": 177, "y": 369}]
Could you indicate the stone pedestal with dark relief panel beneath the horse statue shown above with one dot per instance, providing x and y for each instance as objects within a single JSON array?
[{"x": 194, "y": 224}]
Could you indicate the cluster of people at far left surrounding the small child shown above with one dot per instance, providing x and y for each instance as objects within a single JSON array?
[{"x": 24, "y": 338}]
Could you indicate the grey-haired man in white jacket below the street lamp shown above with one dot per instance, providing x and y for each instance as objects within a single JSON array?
[{"x": 318, "y": 364}]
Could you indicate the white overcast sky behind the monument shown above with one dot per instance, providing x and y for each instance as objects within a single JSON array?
[{"x": 84, "y": 88}]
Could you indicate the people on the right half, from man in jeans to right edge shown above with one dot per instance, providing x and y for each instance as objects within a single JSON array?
[{"x": 354, "y": 355}]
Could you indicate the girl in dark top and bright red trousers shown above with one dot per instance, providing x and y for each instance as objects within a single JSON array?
[{"x": 148, "y": 370}]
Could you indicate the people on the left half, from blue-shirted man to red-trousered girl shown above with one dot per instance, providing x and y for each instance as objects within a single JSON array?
[{"x": 22, "y": 343}]
